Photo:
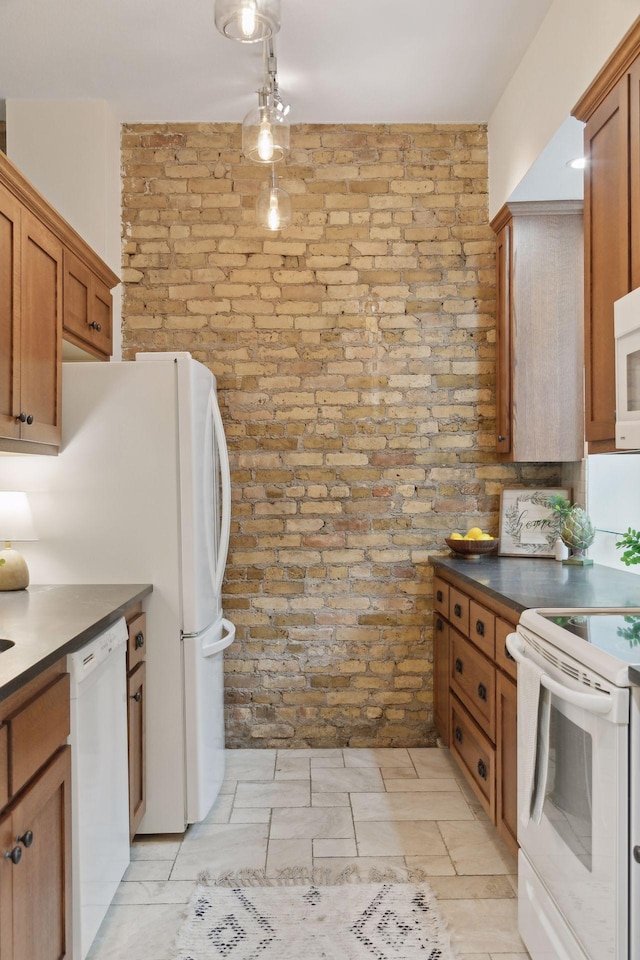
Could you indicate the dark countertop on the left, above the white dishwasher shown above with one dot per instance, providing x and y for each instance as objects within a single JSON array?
[{"x": 48, "y": 622}]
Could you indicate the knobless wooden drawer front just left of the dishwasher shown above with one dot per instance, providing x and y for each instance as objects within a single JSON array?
[{"x": 36, "y": 731}]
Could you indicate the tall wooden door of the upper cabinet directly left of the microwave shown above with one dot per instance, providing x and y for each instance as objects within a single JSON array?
[{"x": 607, "y": 256}]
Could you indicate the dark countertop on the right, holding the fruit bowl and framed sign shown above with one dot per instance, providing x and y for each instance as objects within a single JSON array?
[{"x": 523, "y": 582}]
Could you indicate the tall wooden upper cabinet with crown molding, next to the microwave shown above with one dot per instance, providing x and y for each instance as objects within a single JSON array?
[{"x": 610, "y": 109}]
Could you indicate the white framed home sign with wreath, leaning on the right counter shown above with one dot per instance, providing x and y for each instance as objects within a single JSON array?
[{"x": 529, "y": 526}]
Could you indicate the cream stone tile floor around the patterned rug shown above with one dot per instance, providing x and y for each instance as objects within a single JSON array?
[{"x": 331, "y": 808}]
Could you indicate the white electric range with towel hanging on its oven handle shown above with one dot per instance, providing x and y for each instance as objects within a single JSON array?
[{"x": 579, "y": 783}]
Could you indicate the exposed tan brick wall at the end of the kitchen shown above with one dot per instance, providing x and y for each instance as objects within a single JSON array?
[{"x": 355, "y": 359}]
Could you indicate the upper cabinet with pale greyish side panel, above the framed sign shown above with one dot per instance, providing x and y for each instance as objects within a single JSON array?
[{"x": 539, "y": 331}]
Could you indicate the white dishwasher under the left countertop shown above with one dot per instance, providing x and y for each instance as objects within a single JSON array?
[{"x": 99, "y": 779}]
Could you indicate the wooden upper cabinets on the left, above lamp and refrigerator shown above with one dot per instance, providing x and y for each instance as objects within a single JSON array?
[{"x": 52, "y": 286}]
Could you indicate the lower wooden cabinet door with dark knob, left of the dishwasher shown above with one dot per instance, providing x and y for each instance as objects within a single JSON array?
[{"x": 36, "y": 891}]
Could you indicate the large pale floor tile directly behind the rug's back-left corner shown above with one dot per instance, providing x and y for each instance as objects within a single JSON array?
[{"x": 219, "y": 848}]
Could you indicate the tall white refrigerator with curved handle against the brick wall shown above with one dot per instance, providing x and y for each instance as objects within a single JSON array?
[{"x": 140, "y": 492}]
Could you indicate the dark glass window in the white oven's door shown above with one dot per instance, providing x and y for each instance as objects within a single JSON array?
[{"x": 568, "y": 798}]
